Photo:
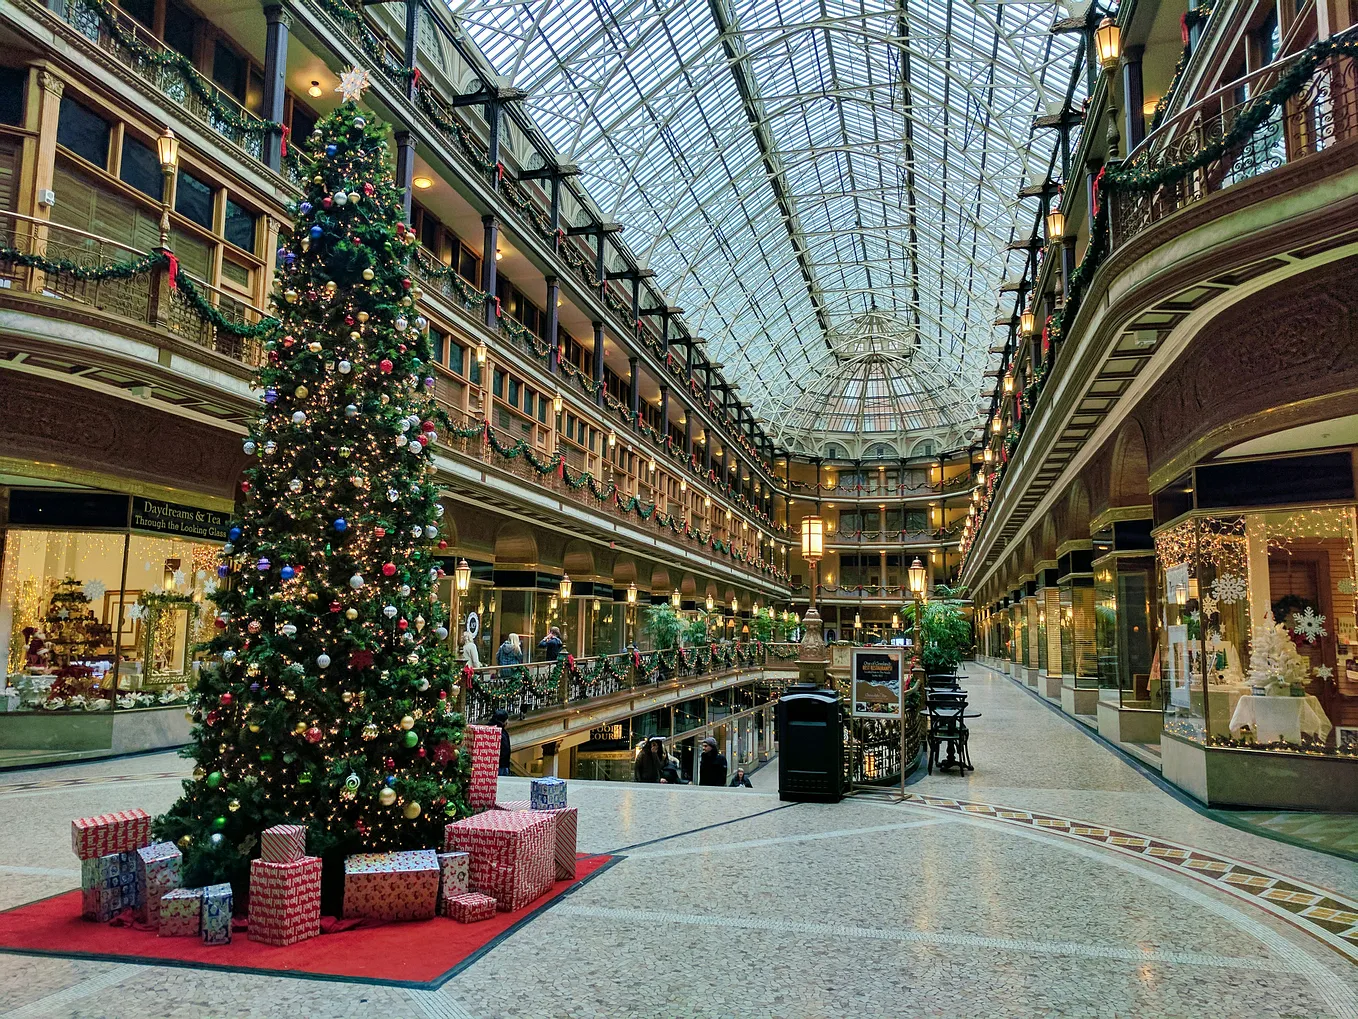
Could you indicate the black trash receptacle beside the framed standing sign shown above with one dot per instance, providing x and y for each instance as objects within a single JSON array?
[{"x": 811, "y": 745}]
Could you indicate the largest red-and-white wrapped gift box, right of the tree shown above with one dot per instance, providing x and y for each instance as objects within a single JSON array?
[{"x": 513, "y": 854}]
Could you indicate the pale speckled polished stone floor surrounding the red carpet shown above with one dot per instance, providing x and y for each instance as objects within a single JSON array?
[{"x": 1054, "y": 881}]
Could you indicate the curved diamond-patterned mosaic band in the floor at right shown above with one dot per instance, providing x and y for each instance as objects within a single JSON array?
[{"x": 1319, "y": 912}]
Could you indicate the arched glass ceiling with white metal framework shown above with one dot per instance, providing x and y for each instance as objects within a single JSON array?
[{"x": 828, "y": 190}]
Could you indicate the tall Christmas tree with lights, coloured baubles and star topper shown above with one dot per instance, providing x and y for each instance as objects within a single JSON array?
[{"x": 333, "y": 703}]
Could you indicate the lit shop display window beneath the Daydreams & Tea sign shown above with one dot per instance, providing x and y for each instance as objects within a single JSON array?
[{"x": 96, "y": 622}]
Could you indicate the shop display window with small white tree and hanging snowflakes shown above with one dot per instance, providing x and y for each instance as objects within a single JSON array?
[{"x": 1255, "y": 608}]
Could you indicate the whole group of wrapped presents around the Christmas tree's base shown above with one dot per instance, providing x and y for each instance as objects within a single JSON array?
[{"x": 498, "y": 861}]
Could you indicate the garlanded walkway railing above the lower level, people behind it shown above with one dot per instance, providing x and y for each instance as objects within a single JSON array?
[{"x": 543, "y": 687}]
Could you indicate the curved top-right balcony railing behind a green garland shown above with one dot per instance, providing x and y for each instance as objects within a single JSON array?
[{"x": 1254, "y": 137}]
